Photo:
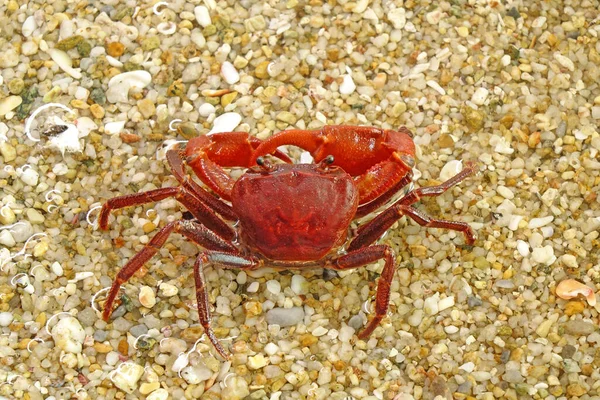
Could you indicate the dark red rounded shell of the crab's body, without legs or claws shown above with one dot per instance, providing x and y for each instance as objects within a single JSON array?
[{"x": 295, "y": 212}]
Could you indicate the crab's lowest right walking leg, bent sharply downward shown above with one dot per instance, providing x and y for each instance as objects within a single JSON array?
[{"x": 362, "y": 257}]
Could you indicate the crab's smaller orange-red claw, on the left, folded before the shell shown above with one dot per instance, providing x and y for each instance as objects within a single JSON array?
[{"x": 207, "y": 155}]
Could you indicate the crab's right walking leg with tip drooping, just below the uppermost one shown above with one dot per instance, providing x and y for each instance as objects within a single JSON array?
[{"x": 373, "y": 229}]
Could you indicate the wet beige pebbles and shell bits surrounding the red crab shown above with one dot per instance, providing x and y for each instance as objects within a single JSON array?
[{"x": 92, "y": 94}]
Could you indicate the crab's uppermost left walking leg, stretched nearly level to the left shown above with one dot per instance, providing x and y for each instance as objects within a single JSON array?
[{"x": 199, "y": 210}]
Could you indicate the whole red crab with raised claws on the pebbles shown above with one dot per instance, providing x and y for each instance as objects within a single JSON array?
[{"x": 289, "y": 216}]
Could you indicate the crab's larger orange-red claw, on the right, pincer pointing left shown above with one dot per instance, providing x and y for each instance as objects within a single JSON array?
[{"x": 377, "y": 158}]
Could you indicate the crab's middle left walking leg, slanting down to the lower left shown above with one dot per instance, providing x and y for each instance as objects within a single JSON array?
[{"x": 194, "y": 231}]
